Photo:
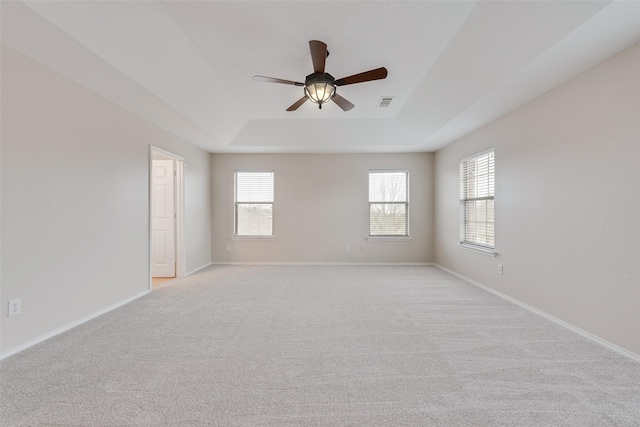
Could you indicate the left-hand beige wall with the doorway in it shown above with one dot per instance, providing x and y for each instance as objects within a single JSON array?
[{"x": 75, "y": 201}]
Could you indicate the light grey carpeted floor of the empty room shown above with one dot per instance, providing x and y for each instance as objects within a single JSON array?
[{"x": 319, "y": 346}]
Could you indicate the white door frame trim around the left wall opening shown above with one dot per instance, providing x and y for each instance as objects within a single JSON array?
[{"x": 178, "y": 200}]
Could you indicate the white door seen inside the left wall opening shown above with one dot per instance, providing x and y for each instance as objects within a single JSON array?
[{"x": 163, "y": 231}]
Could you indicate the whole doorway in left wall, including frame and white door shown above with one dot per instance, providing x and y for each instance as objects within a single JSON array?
[{"x": 166, "y": 206}]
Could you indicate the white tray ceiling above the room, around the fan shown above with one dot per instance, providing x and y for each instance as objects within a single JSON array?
[{"x": 187, "y": 67}]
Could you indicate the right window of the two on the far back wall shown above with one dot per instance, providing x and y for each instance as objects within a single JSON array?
[{"x": 388, "y": 203}]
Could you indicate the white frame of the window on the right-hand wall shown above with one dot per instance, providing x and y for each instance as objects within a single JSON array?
[{"x": 464, "y": 200}]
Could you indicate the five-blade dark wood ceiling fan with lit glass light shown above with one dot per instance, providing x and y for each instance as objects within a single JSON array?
[{"x": 320, "y": 87}]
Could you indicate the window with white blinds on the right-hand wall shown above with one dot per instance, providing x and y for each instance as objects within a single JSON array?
[{"x": 477, "y": 185}]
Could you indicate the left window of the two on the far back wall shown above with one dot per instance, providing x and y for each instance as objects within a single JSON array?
[{"x": 254, "y": 203}]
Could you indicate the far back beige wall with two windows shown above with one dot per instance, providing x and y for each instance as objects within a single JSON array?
[{"x": 321, "y": 204}]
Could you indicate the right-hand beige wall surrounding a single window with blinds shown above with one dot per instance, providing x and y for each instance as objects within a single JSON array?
[{"x": 567, "y": 202}]
